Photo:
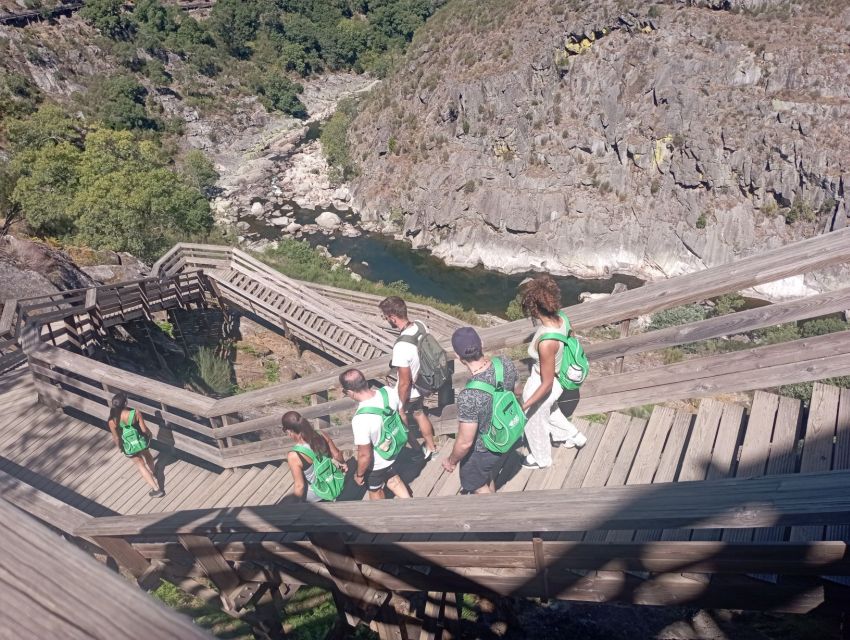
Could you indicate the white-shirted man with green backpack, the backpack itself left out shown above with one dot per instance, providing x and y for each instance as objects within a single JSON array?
[{"x": 374, "y": 469}]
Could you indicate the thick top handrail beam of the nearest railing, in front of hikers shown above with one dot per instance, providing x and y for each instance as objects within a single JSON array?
[{"x": 781, "y": 500}]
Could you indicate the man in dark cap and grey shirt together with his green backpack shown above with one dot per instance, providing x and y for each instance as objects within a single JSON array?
[{"x": 490, "y": 420}]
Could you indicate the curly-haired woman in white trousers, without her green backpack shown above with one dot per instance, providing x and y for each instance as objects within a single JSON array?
[{"x": 541, "y": 301}]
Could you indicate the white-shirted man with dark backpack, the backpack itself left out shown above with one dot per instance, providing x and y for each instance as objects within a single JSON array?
[{"x": 406, "y": 359}]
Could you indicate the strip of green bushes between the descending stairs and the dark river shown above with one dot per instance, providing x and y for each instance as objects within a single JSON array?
[{"x": 299, "y": 260}]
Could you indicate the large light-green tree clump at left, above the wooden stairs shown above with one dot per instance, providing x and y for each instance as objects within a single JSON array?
[{"x": 109, "y": 189}]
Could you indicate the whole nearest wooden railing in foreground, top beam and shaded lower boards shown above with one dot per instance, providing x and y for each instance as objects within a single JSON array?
[{"x": 357, "y": 546}]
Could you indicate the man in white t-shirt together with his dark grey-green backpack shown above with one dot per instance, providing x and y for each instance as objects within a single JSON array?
[{"x": 415, "y": 355}]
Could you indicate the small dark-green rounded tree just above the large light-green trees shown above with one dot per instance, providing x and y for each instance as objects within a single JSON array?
[{"x": 119, "y": 102}]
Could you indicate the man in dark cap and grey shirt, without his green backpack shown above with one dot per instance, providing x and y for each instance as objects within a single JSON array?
[{"x": 478, "y": 465}]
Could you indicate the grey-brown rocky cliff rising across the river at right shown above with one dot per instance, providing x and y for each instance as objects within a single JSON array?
[{"x": 597, "y": 137}]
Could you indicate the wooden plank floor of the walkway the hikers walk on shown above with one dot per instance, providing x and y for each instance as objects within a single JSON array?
[{"x": 75, "y": 461}]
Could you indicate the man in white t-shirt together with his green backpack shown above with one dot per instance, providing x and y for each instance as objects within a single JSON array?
[{"x": 379, "y": 435}]
